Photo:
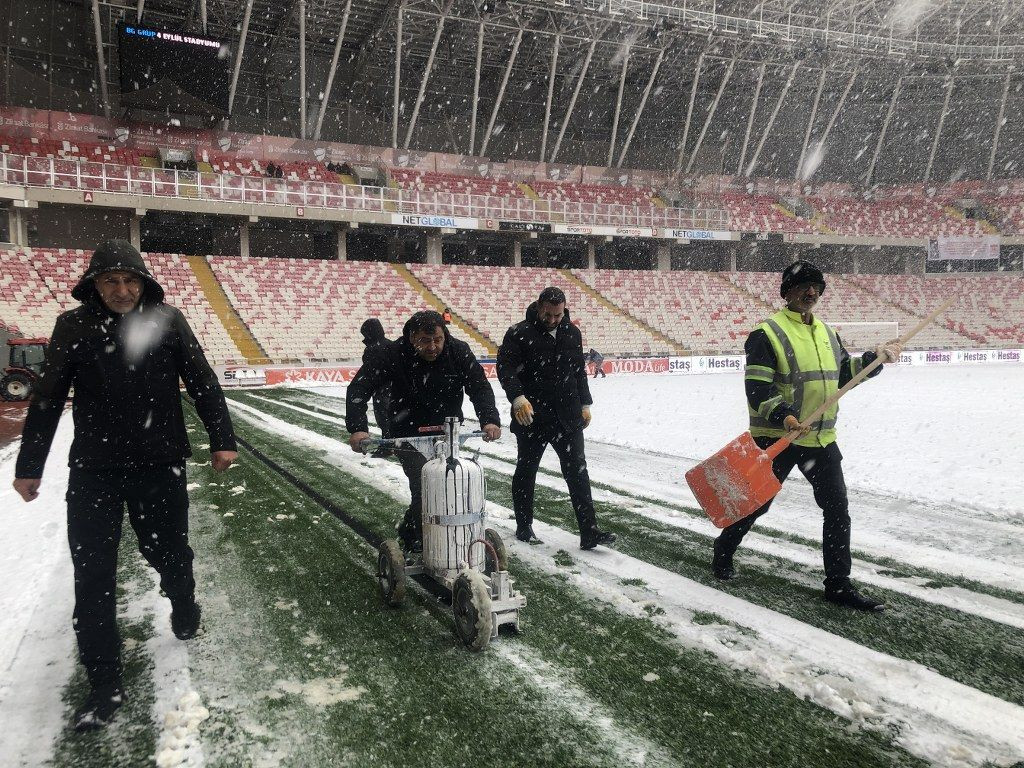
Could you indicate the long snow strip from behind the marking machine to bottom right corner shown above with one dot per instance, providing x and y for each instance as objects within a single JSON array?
[{"x": 941, "y": 720}]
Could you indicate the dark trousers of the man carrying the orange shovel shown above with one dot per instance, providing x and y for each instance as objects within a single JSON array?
[{"x": 824, "y": 470}]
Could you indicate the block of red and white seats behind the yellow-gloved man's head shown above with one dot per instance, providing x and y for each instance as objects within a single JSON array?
[{"x": 494, "y": 298}]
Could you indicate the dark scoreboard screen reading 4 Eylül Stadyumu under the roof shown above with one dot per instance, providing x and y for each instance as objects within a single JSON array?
[{"x": 174, "y": 72}]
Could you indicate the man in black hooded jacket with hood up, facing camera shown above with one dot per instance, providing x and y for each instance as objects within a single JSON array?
[{"x": 124, "y": 352}]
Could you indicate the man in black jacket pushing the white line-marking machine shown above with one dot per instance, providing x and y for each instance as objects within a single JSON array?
[{"x": 429, "y": 372}]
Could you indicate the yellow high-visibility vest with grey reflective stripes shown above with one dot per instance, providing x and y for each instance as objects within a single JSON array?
[{"x": 806, "y": 374}]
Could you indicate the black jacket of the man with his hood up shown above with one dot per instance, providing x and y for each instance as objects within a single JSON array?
[{"x": 127, "y": 407}]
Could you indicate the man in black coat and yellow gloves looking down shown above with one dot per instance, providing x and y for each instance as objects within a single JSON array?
[{"x": 541, "y": 367}]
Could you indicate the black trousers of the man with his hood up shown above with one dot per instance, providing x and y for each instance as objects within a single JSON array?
[{"x": 158, "y": 510}]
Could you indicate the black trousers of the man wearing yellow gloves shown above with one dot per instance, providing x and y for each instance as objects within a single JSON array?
[{"x": 570, "y": 447}]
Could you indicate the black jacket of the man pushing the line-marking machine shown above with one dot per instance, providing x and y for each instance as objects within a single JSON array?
[{"x": 423, "y": 394}]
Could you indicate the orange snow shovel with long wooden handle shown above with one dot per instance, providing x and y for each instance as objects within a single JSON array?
[{"x": 739, "y": 480}]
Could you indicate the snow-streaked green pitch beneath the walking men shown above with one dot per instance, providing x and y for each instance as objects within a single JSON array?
[{"x": 290, "y": 671}]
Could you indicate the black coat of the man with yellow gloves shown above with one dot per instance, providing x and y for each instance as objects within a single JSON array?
[{"x": 549, "y": 371}]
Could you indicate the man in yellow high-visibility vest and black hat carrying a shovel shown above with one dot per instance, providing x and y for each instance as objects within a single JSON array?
[{"x": 794, "y": 364}]
